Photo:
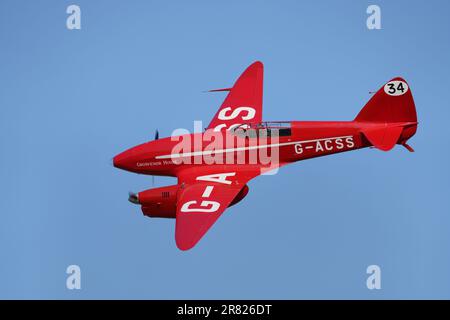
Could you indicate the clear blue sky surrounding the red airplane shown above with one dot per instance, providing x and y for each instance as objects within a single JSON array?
[{"x": 71, "y": 100}]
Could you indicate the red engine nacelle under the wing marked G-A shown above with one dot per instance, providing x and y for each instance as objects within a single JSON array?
[{"x": 162, "y": 202}]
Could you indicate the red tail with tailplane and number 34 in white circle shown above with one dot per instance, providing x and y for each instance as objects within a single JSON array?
[{"x": 390, "y": 116}]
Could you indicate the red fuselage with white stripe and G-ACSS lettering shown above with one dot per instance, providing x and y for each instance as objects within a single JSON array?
[{"x": 303, "y": 140}]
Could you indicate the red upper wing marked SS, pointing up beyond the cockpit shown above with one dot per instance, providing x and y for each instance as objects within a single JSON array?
[{"x": 243, "y": 103}]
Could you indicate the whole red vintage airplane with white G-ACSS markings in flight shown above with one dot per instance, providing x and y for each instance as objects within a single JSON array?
[{"x": 214, "y": 167}]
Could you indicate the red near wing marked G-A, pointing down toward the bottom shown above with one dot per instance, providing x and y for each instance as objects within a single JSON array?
[{"x": 204, "y": 195}]
